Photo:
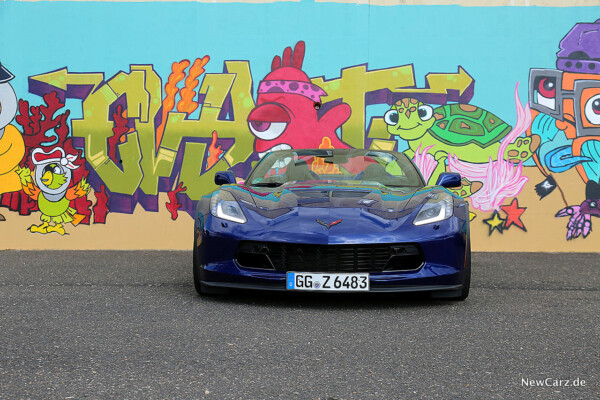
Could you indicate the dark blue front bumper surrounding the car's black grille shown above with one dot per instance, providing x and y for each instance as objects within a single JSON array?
[{"x": 443, "y": 248}]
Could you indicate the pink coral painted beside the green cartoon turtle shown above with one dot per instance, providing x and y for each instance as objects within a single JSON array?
[{"x": 501, "y": 179}]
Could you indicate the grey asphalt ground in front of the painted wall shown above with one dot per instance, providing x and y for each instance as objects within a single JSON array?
[{"x": 129, "y": 325}]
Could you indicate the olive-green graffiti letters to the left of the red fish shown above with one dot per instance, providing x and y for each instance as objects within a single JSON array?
[{"x": 142, "y": 166}]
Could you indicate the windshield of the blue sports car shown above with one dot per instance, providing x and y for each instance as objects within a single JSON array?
[{"x": 370, "y": 167}]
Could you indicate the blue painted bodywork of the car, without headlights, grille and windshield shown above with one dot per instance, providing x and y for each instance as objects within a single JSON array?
[{"x": 299, "y": 214}]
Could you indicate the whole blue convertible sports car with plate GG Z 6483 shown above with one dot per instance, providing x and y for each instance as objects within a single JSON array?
[{"x": 333, "y": 220}]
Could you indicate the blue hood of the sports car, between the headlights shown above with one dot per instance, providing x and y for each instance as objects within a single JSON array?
[{"x": 327, "y": 213}]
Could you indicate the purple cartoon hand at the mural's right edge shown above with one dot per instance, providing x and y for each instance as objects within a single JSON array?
[{"x": 580, "y": 221}]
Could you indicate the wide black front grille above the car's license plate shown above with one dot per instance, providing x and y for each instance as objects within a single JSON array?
[{"x": 329, "y": 258}]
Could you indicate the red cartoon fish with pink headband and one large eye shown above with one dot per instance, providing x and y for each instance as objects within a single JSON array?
[{"x": 286, "y": 113}]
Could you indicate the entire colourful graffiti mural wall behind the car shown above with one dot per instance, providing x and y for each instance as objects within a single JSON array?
[{"x": 115, "y": 116}]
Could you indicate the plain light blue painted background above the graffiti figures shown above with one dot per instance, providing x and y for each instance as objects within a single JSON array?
[{"x": 496, "y": 45}]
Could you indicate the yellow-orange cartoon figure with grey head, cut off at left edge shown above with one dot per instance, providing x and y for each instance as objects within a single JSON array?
[{"x": 12, "y": 147}]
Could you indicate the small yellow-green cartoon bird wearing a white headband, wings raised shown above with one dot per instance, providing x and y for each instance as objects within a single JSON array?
[{"x": 50, "y": 188}]
